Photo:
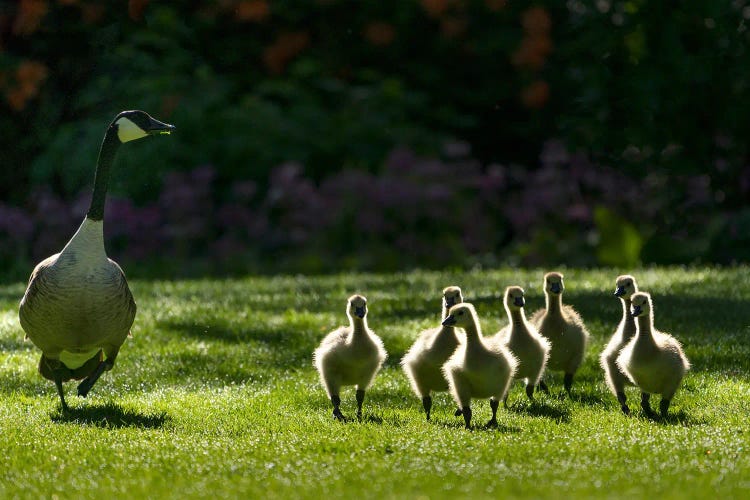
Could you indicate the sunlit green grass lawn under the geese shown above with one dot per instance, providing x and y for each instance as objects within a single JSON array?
[{"x": 215, "y": 396}]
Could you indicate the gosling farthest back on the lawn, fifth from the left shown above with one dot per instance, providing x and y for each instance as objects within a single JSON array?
[{"x": 564, "y": 328}]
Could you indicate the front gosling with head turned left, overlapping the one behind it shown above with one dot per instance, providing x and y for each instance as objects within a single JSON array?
[{"x": 477, "y": 369}]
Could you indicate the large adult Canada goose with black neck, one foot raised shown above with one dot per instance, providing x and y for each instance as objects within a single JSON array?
[{"x": 78, "y": 308}]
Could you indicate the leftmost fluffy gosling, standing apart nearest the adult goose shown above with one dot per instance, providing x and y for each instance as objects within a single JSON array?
[{"x": 350, "y": 355}]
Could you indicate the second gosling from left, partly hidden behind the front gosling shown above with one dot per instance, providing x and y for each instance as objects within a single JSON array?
[{"x": 424, "y": 361}]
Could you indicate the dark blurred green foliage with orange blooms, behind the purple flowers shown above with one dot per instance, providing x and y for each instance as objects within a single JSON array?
[{"x": 658, "y": 91}]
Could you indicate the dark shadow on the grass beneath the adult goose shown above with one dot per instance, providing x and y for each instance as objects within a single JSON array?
[{"x": 111, "y": 416}]
